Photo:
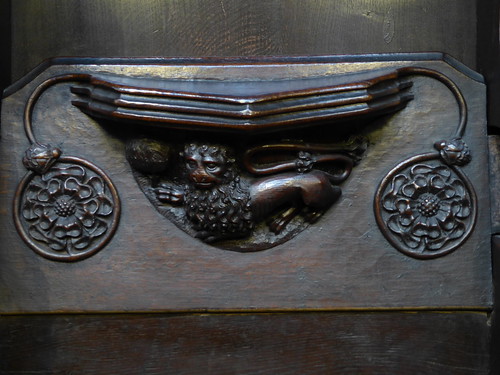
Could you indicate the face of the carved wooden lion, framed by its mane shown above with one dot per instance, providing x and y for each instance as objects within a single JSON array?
[{"x": 206, "y": 165}]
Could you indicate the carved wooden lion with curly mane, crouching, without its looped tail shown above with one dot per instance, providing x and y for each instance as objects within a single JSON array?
[{"x": 221, "y": 205}]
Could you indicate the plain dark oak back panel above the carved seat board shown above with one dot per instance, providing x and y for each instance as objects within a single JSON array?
[{"x": 237, "y": 28}]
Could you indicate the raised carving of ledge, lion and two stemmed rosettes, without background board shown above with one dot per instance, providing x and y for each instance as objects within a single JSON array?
[{"x": 207, "y": 171}]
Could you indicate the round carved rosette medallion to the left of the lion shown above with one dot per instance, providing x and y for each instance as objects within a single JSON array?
[{"x": 69, "y": 212}]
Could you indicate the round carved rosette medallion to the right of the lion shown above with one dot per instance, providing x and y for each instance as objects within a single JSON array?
[{"x": 425, "y": 208}]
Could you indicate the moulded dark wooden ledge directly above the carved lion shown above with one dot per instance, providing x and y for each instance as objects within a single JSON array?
[{"x": 248, "y": 106}]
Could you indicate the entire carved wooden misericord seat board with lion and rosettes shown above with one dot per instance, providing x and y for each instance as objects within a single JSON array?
[{"x": 196, "y": 184}]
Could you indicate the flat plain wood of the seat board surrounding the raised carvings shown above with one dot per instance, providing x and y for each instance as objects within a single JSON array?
[{"x": 341, "y": 262}]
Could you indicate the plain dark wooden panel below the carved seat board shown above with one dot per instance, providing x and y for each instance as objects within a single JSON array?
[{"x": 315, "y": 343}]
